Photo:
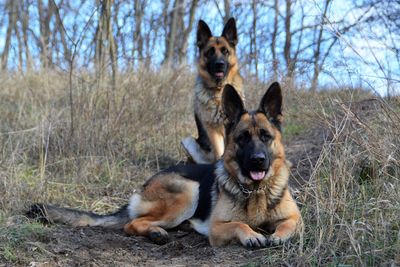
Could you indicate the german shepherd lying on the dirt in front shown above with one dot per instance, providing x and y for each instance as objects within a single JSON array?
[{"x": 241, "y": 197}]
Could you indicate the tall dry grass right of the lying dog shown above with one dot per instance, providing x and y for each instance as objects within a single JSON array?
[{"x": 352, "y": 204}]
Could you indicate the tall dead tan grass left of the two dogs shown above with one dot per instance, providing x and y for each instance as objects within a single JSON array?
[{"x": 119, "y": 136}]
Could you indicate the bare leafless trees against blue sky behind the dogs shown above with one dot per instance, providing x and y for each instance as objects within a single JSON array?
[{"x": 333, "y": 43}]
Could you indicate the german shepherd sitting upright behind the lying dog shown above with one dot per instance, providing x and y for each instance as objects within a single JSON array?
[{"x": 217, "y": 67}]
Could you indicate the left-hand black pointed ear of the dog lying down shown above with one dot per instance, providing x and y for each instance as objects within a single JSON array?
[{"x": 232, "y": 104}]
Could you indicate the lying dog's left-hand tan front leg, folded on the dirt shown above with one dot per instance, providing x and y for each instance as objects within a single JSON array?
[{"x": 221, "y": 233}]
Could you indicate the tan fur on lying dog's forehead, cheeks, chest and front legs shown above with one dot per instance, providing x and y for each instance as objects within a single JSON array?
[{"x": 270, "y": 204}]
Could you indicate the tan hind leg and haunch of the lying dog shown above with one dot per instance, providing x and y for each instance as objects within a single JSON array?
[{"x": 165, "y": 203}]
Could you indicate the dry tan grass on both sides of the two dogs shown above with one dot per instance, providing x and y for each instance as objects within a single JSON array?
[{"x": 350, "y": 204}]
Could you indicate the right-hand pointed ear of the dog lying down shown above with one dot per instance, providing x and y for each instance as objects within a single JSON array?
[{"x": 271, "y": 104}]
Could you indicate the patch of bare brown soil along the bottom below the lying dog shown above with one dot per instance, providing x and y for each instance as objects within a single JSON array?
[{"x": 98, "y": 247}]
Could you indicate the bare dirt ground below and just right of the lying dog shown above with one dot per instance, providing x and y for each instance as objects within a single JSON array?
[{"x": 66, "y": 246}]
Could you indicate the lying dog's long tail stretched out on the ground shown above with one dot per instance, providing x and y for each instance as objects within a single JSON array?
[{"x": 52, "y": 214}]
